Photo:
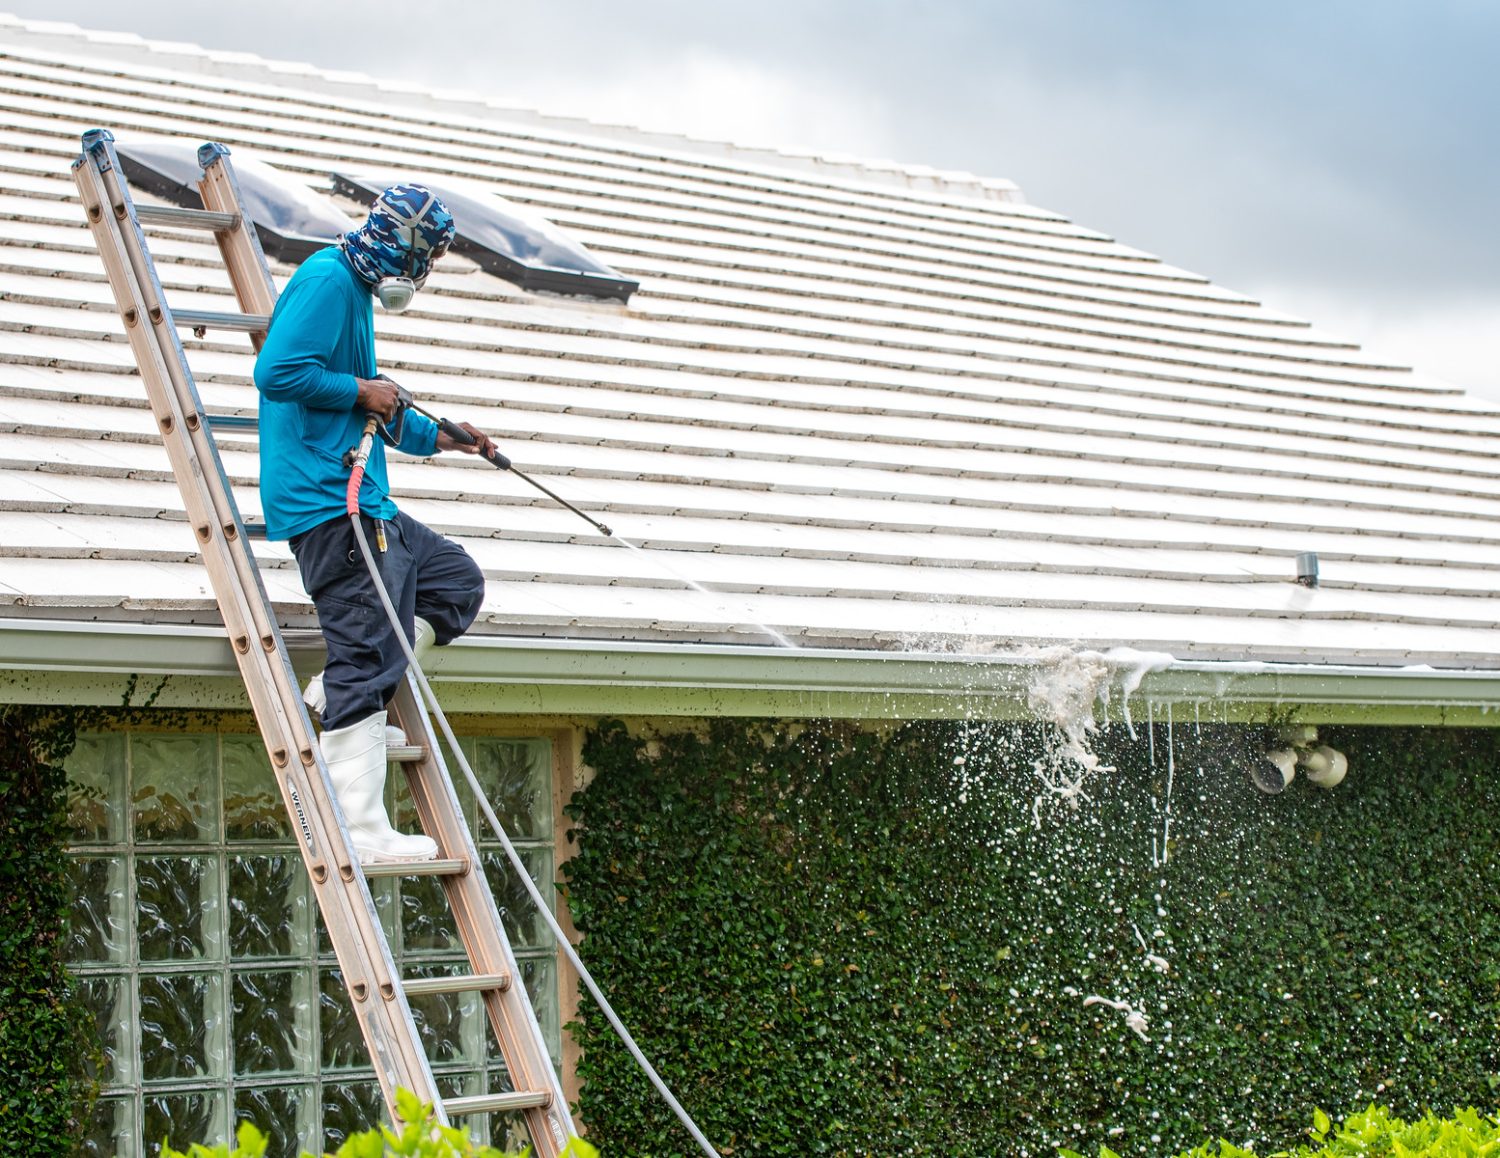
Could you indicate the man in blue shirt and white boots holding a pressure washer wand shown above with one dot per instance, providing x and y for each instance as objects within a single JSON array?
[{"x": 319, "y": 386}]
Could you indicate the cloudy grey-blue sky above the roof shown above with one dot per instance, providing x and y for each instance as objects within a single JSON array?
[{"x": 1336, "y": 158}]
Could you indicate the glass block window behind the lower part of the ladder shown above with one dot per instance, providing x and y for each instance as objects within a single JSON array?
[{"x": 202, "y": 953}]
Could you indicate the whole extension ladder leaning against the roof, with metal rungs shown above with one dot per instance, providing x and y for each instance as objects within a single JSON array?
[{"x": 379, "y": 995}]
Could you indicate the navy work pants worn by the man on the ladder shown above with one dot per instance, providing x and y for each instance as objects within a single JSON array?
[{"x": 425, "y": 574}]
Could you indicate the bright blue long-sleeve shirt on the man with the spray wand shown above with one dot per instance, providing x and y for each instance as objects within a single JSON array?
[{"x": 322, "y": 340}]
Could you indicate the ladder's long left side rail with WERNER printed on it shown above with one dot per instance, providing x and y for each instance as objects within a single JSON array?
[{"x": 344, "y": 896}]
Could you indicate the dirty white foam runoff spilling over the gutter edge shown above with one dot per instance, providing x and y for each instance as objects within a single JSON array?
[{"x": 1064, "y": 689}]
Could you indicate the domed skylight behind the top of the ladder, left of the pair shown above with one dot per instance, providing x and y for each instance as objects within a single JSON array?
[{"x": 292, "y": 221}]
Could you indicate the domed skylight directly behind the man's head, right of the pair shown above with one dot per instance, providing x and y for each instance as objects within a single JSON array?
[{"x": 505, "y": 239}]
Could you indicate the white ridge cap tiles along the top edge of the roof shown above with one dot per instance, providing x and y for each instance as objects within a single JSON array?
[{"x": 182, "y": 56}]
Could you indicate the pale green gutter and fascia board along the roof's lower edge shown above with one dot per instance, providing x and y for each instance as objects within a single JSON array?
[{"x": 52, "y": 661}]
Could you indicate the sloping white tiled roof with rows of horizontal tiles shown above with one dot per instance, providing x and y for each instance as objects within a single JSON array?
[{"x": 857, "y": 413}]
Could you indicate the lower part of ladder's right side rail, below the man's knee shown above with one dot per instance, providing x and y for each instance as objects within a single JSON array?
[{"x": 479, "y": 925}]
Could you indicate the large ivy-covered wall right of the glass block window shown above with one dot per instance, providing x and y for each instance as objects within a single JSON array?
[{"x": 839, "y": 943}]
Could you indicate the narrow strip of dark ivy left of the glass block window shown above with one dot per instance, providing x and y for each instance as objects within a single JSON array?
[{"x": 46, "y": 1042}]
